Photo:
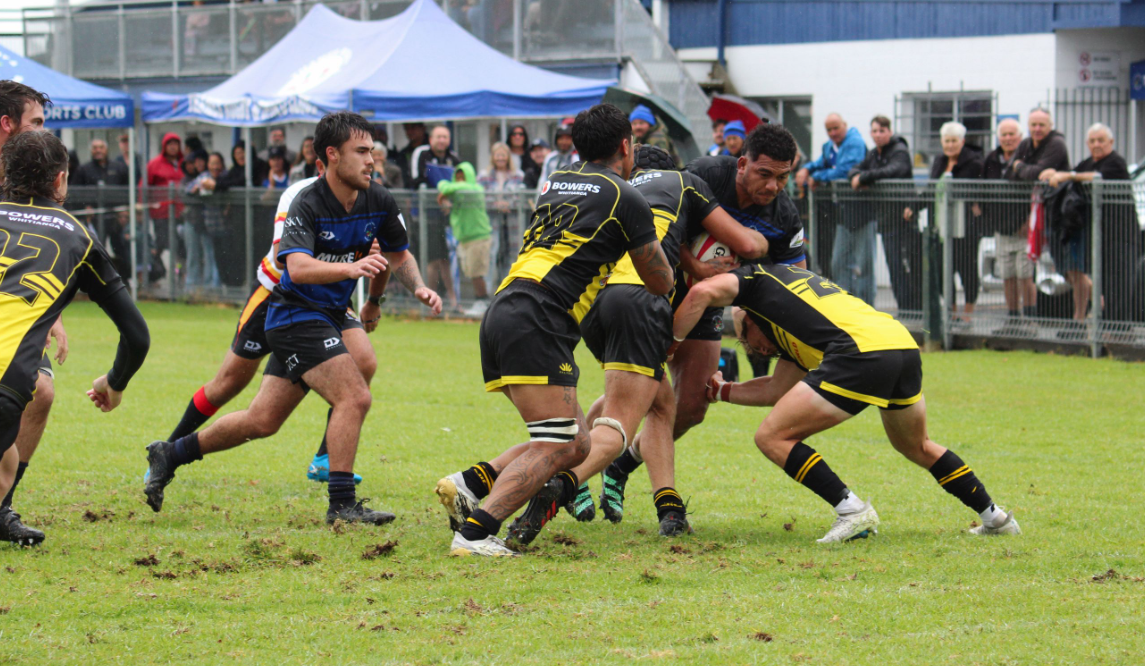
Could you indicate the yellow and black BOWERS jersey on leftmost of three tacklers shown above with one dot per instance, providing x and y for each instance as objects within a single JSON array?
[{"x": 588, "y": 217}]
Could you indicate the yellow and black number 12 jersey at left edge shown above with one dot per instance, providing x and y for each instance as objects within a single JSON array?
[{"x": 45, "y": 257}]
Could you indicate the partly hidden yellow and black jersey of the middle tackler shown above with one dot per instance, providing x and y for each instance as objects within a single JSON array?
[{"x": 680, "y": 203}]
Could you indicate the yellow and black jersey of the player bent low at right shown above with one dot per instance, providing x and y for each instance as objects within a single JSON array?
[{"x": 809, "y": 318}]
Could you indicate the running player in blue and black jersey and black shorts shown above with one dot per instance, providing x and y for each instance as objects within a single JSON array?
[{"x": 326, "y": 245}]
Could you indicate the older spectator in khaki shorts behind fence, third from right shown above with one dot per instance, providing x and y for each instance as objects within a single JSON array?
[{"x": 1010, "y": 224}]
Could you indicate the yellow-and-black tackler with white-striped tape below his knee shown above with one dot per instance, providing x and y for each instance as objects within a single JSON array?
[{"x": 588, "y": 217}]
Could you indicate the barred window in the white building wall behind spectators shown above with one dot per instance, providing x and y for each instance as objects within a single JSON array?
[{"x": 922, "y": 115}]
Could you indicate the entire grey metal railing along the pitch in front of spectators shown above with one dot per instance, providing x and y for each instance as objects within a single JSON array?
[{"x": 913, "y": 249}]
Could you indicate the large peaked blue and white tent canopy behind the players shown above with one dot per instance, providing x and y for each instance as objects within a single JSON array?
[{"x": 416, "y": 66}]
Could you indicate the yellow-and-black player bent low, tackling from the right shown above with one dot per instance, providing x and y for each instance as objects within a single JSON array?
[{"x": 838, "y": 356}]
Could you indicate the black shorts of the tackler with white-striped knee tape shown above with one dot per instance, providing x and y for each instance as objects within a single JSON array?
[{"x": 527, "y": 338}]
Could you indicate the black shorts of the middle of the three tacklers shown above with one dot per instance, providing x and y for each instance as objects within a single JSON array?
[{"x": 629, "y": 329}]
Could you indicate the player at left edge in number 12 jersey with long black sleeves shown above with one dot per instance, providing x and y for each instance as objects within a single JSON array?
[{"x": 46, "y": 256}]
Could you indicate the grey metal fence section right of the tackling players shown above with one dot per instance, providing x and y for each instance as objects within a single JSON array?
[{"x": 952, "y": 259}]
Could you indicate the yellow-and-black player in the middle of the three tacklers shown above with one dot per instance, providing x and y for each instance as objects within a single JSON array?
[{"x": 629, "y": 331}]
